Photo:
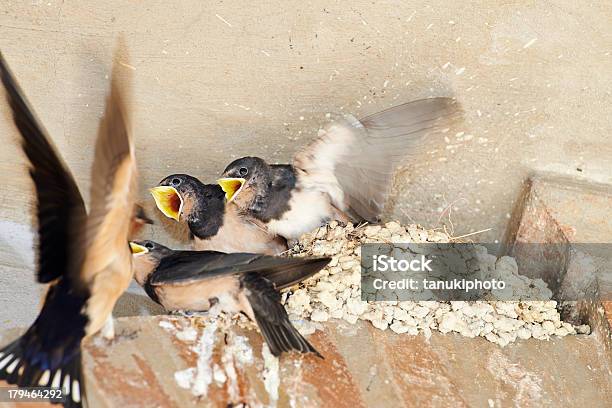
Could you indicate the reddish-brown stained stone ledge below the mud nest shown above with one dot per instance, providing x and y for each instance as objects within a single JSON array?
[{"x": 363, "y": 366}]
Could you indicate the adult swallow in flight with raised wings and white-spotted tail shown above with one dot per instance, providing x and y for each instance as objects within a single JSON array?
[{"x": 85, "y": 259}]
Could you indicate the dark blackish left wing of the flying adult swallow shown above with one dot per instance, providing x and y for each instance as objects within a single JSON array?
[{"x": 60, "y": 208}]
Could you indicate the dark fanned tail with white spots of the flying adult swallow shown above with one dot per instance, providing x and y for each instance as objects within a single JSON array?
[{"x": 28, "y": 367}]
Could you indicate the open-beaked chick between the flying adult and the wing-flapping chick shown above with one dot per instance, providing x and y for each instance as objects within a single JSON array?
[{"x": 213, "y": 225}]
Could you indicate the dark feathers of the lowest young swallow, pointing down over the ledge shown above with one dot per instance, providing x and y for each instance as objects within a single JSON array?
[{"x": 271, "y": 317}]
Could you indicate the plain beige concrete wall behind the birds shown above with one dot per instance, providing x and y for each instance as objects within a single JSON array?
[{"x": 217, "y": 80}]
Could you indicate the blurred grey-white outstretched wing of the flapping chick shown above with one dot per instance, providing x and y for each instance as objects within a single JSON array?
[{"x": 354, "y": 160}]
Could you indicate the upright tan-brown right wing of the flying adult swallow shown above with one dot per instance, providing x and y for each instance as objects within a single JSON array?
[{"x": 113, "y": 185}]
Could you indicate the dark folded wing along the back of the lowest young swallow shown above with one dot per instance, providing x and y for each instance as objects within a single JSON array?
[{"x": 185, "y": 267}]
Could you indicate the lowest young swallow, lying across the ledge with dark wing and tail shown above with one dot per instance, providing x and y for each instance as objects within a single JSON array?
[{"x": 233, "y": 283}]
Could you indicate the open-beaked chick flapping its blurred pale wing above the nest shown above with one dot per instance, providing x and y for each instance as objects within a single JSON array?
[{"x": 345, "y": 174}]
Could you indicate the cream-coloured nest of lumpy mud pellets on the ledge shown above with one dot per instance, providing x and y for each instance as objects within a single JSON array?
[{"x": 335, "y": 293}]
